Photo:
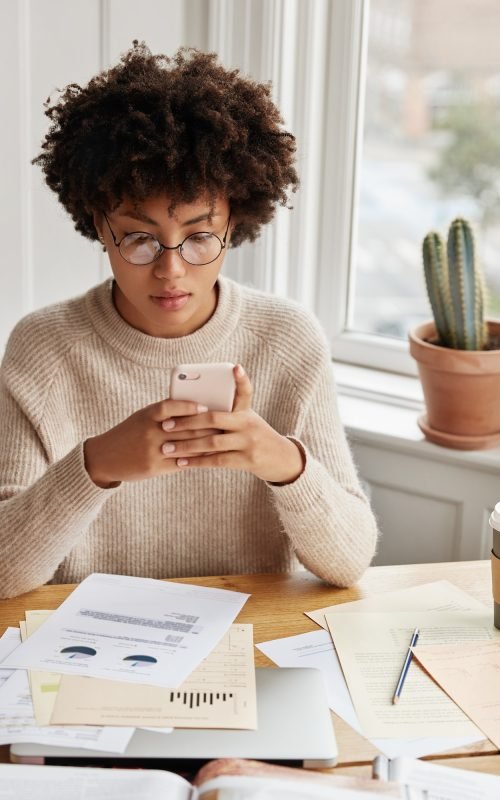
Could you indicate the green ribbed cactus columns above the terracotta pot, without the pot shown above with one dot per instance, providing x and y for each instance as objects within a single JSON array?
[{"x": 455, "y": 288}]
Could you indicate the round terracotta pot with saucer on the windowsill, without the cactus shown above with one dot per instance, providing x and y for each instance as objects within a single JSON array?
[{"x": 461, "y": 390}]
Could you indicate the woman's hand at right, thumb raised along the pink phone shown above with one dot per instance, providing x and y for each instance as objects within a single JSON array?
[{"x": 240, "y": 439}]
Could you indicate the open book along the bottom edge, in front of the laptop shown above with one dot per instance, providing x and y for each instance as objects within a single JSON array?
[{"x": 224, "y": 779}]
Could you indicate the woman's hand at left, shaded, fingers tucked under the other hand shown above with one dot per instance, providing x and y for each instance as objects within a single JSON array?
[{"x": 133, "y": 449}]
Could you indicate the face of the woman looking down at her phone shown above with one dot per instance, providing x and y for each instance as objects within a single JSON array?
[{"x": 169, "y": 297}]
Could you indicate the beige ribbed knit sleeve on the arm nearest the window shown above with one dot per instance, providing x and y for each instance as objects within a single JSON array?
[{"x": 324, "y": 513}]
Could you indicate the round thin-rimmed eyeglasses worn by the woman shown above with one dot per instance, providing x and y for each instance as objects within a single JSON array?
[{"x": 142, "y": 248}]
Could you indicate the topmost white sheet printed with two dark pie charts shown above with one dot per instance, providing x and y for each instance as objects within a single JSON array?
[{"x": 137, "y": 630}]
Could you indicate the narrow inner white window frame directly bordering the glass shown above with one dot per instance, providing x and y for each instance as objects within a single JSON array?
[{"x": 348, "y": 44}]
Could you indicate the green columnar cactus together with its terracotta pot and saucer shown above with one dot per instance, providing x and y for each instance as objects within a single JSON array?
[{"x": 458, "y": 355}]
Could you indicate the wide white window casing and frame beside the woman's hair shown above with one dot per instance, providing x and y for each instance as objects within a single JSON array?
[{"x": 314, "y": 52}]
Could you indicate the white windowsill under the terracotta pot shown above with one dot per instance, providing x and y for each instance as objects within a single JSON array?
[{"x": 382, "y": 408}]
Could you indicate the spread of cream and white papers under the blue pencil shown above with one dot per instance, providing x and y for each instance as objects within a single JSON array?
[{"x": 361, "y": 653}]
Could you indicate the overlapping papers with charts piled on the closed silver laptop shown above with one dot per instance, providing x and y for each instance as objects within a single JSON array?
[{"x": 125, "y": 653}]
